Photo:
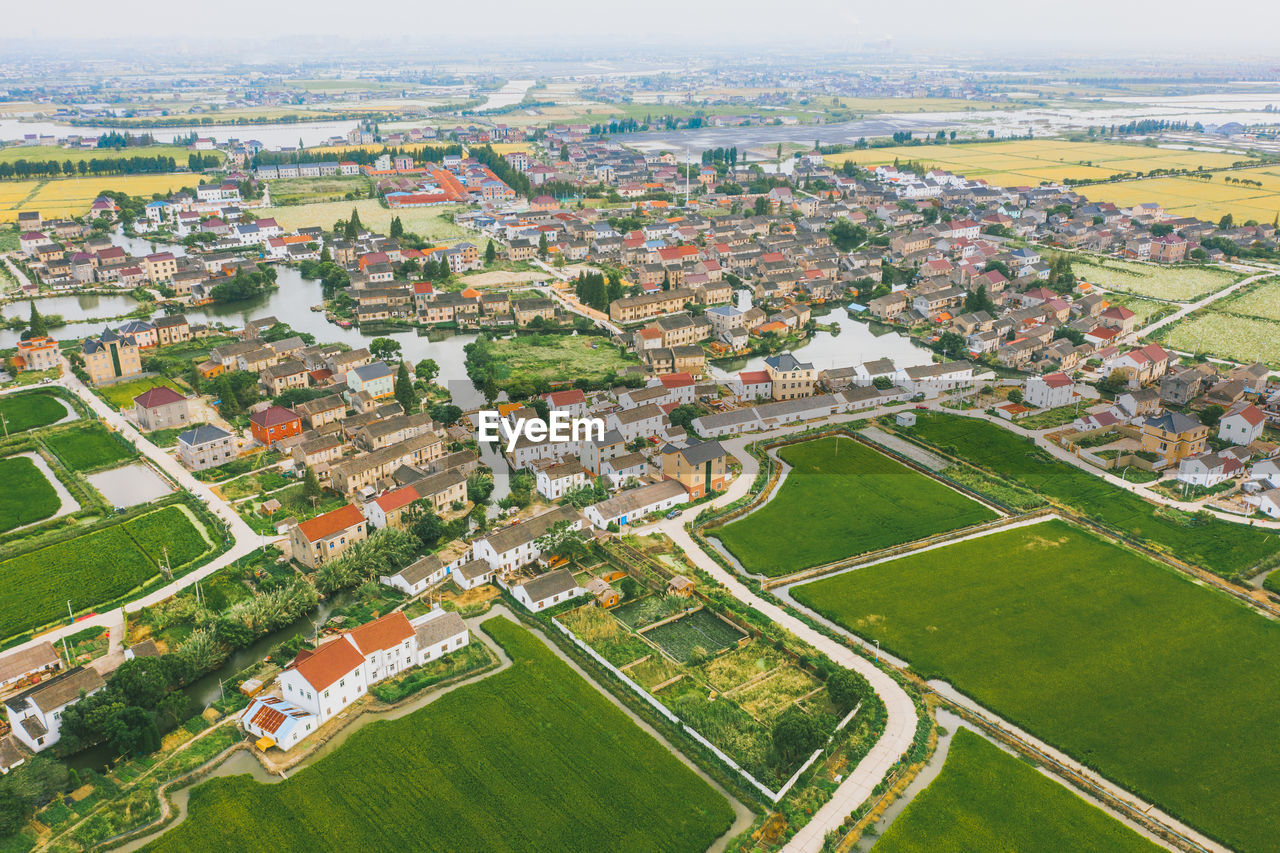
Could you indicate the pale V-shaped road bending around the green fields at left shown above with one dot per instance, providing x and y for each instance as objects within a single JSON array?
[{"x": 246, "y": 540}]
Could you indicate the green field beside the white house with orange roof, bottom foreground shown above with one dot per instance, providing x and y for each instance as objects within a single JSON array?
[{"x": 569, "y": 773}]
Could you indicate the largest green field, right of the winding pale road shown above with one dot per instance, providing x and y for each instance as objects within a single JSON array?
[{"x": 1123, "y": 664}]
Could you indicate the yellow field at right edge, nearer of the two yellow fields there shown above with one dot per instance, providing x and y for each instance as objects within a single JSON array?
[{"x": 1209, "y": 200}]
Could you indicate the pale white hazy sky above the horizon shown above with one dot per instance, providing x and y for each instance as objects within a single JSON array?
[{"x": 1020, "y": 28}]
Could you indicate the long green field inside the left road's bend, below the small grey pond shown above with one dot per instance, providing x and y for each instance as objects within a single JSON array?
[{"x": 89, "y": 569}]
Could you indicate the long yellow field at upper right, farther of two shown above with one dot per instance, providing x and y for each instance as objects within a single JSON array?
[{"x": 1031, "y": 162}]
